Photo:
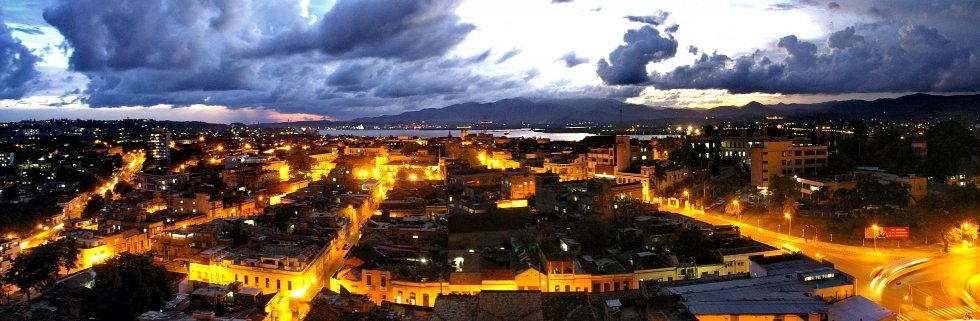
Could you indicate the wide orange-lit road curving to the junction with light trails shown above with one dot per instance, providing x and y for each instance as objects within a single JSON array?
[{"x": 946, "y": 279}]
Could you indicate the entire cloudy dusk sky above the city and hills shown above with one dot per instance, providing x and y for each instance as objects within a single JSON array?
[{"x": 277, "y": 60}]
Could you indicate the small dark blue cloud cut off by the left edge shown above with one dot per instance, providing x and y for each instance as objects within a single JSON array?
[{"x": 17, "y": 70}]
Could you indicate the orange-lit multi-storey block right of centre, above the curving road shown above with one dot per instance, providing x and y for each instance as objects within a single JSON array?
[{"x": 774, "y": 158}]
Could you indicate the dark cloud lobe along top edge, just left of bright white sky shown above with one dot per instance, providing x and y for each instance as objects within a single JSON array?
[{"x": 405, "y": 30}]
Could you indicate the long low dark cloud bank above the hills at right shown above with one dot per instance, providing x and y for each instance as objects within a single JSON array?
[{"x": 921, "y": 59}]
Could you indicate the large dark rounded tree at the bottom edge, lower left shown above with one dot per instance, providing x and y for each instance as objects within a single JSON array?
[{"x": 127, "y": 285}]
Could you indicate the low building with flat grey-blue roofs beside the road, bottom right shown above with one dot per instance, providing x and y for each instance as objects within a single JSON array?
[{"x": 786, "y": 287}]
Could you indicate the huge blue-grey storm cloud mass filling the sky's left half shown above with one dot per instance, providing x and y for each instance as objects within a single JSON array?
[{"x": 265, "y": 53}]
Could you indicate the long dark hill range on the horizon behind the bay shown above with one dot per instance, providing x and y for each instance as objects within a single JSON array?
[{"x": 517, "y": 111}]
